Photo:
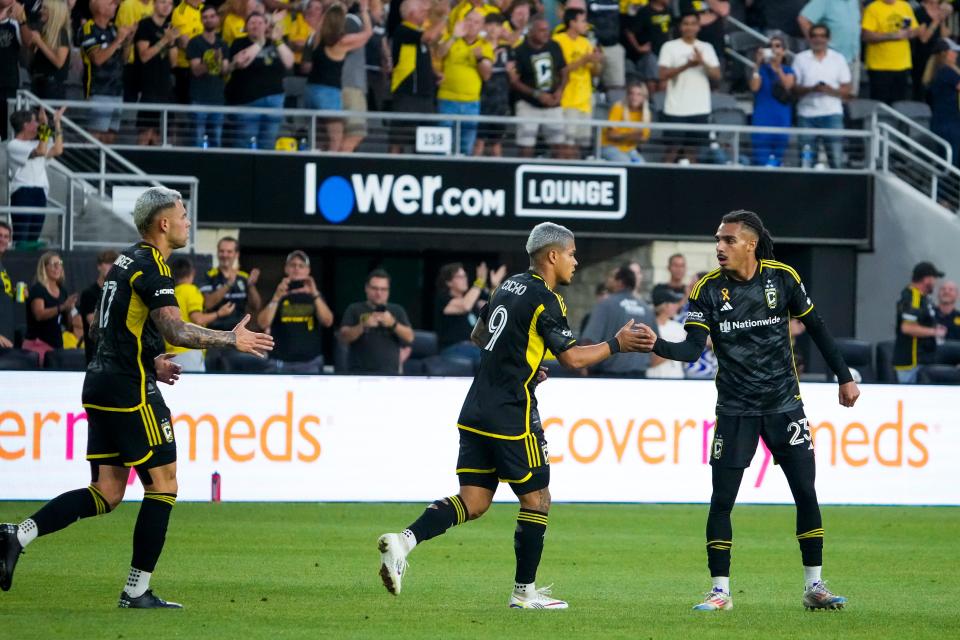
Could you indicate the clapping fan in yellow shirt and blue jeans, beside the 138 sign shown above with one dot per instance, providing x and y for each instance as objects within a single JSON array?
[{"x": 467, "y": 64}]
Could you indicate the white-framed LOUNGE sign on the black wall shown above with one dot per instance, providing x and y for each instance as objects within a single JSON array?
[{"x": 587, "y": 193}]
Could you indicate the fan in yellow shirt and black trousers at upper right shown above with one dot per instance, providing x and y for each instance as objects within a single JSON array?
[{"x": 887, "y": 28}]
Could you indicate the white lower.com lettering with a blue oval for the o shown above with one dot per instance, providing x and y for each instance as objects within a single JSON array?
[{"x": 339, "y": 197}]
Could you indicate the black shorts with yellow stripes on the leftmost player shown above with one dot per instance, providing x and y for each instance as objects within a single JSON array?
[{"x": 142, "y": 437}]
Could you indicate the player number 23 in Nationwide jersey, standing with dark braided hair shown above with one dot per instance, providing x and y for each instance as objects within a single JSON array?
[{"x": 745, "y": 306}]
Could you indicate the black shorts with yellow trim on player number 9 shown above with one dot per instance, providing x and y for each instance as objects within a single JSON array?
[{"x": 485, "y": 461}]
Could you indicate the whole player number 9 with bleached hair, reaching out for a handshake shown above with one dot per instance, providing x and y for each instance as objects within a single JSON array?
[{"x": 501, "y": 438}]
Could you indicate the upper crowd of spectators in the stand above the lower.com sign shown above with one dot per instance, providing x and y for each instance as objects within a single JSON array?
[{"x": 564, "y": 62}]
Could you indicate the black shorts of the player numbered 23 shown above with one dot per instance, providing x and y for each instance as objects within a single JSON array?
[{"x": 735, "y": 440}]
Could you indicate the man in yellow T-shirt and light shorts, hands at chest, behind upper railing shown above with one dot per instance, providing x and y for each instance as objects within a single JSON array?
[{"x": 584, "y": 61}]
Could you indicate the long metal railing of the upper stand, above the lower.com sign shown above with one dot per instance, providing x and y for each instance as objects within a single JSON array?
[{"x": 709, "y": 144}]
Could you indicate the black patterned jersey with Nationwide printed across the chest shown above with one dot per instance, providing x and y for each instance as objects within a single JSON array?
[{"x": 750, "y": 326}]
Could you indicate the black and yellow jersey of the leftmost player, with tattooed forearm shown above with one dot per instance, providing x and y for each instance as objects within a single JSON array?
[{"x": 138, "y": 283}]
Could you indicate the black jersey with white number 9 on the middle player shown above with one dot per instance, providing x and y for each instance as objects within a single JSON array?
[{"x": 524, "y": 318}]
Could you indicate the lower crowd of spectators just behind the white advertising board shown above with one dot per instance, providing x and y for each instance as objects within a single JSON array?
[{"x": 375, "y": 336}]
